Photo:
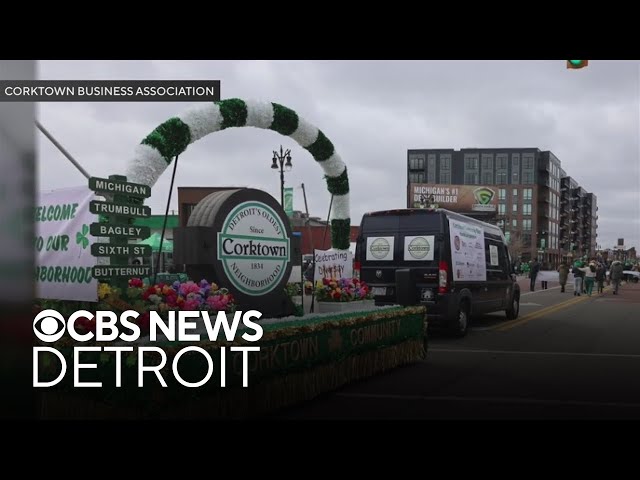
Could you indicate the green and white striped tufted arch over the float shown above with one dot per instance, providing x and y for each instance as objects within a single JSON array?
[{"x": 171, "y": 138}]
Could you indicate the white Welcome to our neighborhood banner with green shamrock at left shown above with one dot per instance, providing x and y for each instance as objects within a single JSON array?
[{"x": 63, "y": 245}]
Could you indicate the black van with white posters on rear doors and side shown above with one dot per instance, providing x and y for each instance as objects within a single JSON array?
[{"x": 455, "y": 265}]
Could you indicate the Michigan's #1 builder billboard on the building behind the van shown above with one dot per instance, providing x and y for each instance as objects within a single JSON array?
[{"x": 457, "y": 198}]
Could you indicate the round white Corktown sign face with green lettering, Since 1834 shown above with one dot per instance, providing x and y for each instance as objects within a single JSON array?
[{"x": 254, "y": 248}]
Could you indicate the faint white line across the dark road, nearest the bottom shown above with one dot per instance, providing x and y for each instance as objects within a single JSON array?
[{"x": 516, "y": 400}]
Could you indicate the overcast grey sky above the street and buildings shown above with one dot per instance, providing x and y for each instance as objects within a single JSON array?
[{"x": 372, "y": 111}]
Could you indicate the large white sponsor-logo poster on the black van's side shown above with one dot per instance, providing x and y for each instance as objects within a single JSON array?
[{"x": 467, "y": 251}]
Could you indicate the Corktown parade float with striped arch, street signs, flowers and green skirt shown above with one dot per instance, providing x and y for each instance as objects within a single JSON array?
[{"x": 237, "y": 252}]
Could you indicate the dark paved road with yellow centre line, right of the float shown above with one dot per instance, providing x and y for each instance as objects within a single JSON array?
[{"x": 564, "y": 357}]
